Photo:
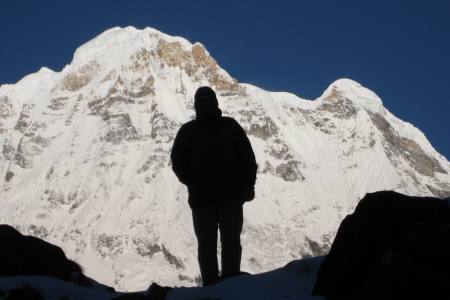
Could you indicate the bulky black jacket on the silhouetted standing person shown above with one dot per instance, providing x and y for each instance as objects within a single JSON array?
[{"x": 213, "y": 157}]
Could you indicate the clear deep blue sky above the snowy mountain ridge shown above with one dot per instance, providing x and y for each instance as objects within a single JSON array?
[{"x": 399, "y": 49}]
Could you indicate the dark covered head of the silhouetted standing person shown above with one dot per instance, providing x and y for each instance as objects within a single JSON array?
[{"x": 205, "y": 103}]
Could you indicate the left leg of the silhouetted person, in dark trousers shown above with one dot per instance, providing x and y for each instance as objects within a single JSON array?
[{"x": 205, "y": 228}]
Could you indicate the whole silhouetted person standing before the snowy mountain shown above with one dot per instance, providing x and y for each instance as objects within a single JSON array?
[{"x": 213, "y": 157}]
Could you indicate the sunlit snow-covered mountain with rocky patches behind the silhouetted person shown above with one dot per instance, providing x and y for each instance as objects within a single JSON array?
[{"x": 84, "y": 160}]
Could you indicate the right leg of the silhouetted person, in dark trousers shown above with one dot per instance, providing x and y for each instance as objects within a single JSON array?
[{"x": 230, "y": 225}]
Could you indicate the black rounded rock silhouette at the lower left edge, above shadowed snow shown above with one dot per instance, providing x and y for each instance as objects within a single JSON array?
[{"x": 27, "y": 255}]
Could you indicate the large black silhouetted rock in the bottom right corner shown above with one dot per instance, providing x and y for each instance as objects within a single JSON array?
[{"x": 382, "y": 235}]
